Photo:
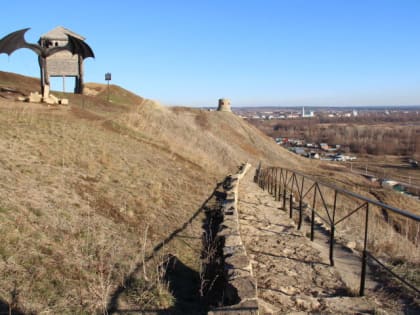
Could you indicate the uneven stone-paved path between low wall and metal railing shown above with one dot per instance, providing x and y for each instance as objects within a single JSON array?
[{"x": 291, "y": 275}]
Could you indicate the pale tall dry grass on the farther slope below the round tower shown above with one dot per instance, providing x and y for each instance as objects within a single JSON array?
[{"x": 212, "y": 140}]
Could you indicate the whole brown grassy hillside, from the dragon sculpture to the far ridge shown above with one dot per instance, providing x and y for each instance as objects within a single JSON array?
[{"x": 96, "y": 194}]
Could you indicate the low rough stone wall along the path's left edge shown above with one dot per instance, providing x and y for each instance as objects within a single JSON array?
[{"x": 239, "y": 287}]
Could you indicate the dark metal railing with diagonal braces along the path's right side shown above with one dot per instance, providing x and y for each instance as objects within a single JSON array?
[{"x": 375, "y": 224}]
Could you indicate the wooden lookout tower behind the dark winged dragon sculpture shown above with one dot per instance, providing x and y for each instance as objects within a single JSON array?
[{"x": 63, "y": 63}]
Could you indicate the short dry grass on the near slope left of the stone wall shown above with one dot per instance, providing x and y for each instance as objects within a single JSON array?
[{"x": 75, "y": 197}]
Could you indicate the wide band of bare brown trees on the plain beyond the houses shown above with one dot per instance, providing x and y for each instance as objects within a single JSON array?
[{"x": 374, "y": 133}]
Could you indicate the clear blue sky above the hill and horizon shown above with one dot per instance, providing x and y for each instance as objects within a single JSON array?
[{"x": 259, "y": 52}]
